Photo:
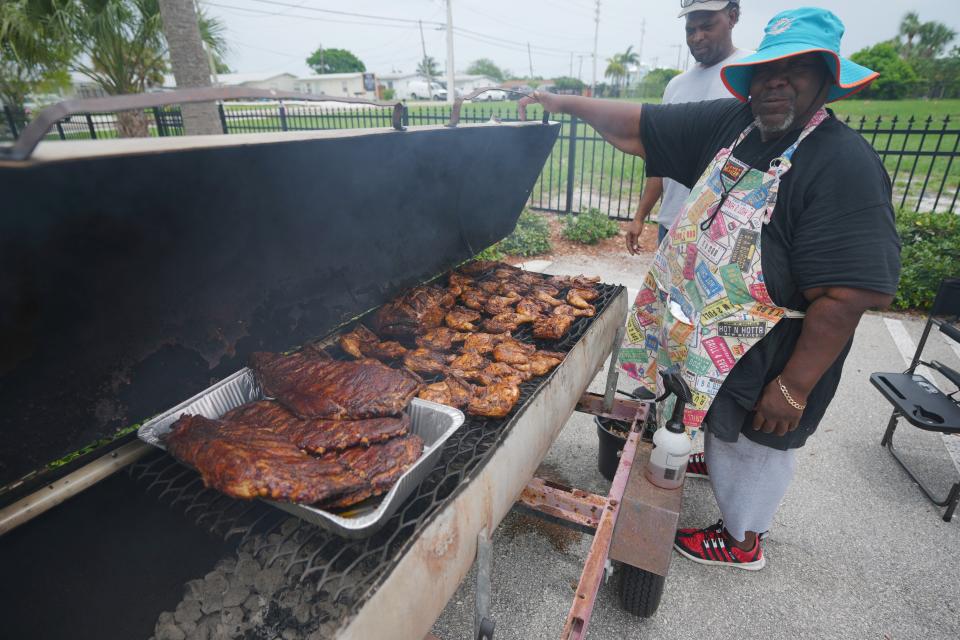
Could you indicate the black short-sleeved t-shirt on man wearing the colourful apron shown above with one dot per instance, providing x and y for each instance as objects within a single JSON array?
[{"x": 833, "y": 225}]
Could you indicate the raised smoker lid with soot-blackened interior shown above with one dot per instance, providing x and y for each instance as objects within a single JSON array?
[{"x": 135, "y": 273}]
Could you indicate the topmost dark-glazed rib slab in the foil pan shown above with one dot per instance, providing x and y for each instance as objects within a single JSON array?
[{"x": 314, "y": 387}]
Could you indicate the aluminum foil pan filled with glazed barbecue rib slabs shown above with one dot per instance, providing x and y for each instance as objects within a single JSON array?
[{"x": 326, "y": 468}]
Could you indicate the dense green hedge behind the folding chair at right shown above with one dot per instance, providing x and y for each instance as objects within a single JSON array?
[{"x": 930, "y": 253}]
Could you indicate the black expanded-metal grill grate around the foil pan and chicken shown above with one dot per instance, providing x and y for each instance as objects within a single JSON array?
[{"x": 338, "y": 573}]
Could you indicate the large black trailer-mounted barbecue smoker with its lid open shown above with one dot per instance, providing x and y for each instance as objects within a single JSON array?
[{"x": 137, "y": 275}]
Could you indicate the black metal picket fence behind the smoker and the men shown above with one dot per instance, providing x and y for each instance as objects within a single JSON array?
[{"x": 583, "y": 171}]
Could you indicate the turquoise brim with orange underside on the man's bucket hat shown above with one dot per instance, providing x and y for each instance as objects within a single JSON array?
[{"x": 849, "y": 77}]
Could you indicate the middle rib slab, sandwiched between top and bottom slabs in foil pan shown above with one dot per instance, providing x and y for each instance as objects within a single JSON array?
[{"x": 317, "y": 435}]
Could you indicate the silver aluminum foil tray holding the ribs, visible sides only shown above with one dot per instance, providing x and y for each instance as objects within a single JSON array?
[{"x": 433, "y": 422}]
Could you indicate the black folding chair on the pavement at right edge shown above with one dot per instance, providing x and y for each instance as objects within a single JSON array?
[{"x": 919, "y": 401}]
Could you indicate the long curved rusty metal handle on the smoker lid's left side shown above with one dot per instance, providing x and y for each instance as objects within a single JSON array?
[{"x": 38, "y": 128}]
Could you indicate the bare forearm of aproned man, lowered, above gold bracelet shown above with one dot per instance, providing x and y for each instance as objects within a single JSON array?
[{"x": 829, "y": 324}]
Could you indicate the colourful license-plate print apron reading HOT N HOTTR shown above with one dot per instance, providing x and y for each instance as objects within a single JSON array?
[{"x": 703, "y": 303}]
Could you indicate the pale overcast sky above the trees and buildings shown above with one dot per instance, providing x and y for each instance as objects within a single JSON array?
[{"x": 278, "y": 35}]
